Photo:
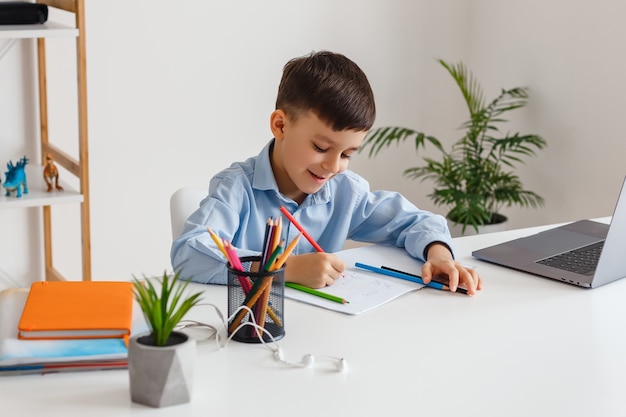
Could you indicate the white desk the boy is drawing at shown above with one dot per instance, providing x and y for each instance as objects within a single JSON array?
[{"x": 525, "y": 346}]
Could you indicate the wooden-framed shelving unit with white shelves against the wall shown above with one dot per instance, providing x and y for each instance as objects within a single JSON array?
[{"x": 78, "y": 167}]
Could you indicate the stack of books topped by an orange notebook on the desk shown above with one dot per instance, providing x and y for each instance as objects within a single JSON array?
[{"x": 66, "y": 326}]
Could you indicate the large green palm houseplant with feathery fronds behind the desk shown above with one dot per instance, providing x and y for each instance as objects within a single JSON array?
[{"x": 475, "y": 177}]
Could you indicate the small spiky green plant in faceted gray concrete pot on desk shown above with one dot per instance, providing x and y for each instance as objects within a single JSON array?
[{"x": 160, "y": 362}]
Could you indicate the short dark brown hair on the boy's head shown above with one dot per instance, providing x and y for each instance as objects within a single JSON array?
[{"x": 331, "y": 86}]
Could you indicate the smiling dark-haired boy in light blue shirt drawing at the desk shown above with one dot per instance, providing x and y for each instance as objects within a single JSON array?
[{"x": 324, "y": 108}]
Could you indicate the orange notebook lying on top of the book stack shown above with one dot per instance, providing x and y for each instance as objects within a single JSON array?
[{"x": 77, "y": 310}]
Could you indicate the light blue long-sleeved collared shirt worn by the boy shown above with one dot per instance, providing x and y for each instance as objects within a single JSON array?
[{"x": 244, "y": 196}]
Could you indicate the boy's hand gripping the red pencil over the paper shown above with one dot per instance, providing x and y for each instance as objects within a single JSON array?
[{"x": 315, "y": 270}]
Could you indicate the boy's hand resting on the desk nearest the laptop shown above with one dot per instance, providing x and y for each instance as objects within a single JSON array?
[{"x": 440, "y": 262}]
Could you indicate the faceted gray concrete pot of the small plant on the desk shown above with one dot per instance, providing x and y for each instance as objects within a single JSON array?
[{"x": 161, "y": 376}]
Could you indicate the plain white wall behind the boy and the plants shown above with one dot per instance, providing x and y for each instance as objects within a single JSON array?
[{"x": 176, "y": 94}]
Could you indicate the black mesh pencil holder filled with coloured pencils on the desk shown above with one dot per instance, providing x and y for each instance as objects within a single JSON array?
[{"x": 264, "y": 294}]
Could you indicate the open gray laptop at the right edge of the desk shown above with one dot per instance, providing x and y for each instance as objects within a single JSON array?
[{"x": 583, "y": 253}]
